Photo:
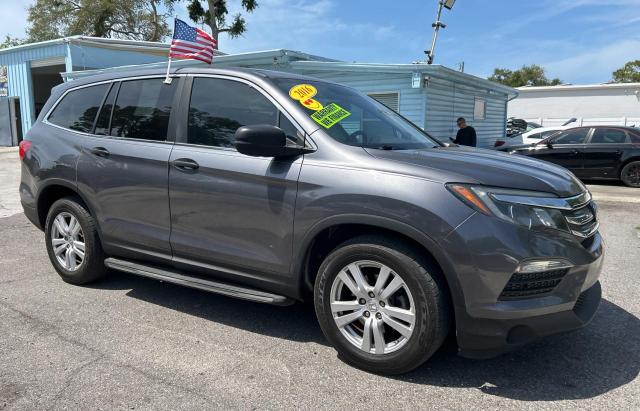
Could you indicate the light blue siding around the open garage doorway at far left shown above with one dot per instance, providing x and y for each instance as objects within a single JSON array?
[{"x": 19, "y": 75}]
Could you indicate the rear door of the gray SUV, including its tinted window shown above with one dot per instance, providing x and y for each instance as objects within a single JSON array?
[{"x": 122, "y": 171}]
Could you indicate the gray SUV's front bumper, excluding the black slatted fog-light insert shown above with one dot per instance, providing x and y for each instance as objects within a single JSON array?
[{"x": 487, "y": 252}]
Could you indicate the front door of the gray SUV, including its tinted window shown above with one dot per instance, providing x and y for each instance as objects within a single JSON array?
[{"x": 231, "y": 213}]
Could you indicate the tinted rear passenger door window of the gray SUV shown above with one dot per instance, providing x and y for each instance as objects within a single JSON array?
[{"x": 142, "y": 109}]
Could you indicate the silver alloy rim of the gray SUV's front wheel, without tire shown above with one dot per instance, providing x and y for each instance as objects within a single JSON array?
[{"x": 372, "y": 307}]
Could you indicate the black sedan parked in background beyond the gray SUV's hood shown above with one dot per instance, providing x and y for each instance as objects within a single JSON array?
[{"x": 591, "y": 152}]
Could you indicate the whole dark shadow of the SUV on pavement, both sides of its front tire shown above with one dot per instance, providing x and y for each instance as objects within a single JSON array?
[{"x": 601, "y": 357}]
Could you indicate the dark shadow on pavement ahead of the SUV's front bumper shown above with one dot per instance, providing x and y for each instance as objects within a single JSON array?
[{"x": 603, "y": 356}]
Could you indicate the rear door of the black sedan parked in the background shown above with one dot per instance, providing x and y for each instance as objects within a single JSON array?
[{"x": 603, "y": 152}]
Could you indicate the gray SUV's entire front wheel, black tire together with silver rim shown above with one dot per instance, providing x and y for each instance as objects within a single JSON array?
[{"x": 427, "y": 297}]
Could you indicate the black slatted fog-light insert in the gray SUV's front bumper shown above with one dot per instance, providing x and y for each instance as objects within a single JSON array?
[{"x": 524, "y": 285}]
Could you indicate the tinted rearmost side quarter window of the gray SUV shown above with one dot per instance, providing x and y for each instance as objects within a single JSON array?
[{"x": 78, "y": 109}]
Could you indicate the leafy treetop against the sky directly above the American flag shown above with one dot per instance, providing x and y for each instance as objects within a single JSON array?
[{"x": 215, "y": 16}]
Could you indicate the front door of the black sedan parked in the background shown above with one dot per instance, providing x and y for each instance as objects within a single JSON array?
[{"x": 565, "y": 149}]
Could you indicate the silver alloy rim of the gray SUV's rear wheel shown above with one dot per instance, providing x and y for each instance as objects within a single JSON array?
[{"x": 67, "y": 240}]
